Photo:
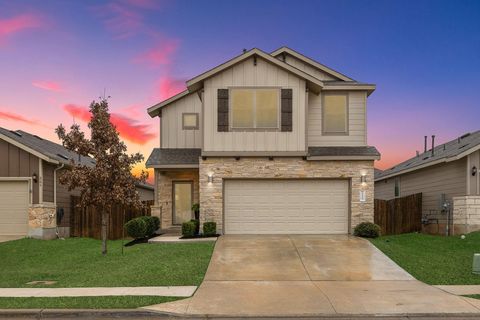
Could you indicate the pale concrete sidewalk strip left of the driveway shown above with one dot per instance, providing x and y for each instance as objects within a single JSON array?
[{"x": 177, "y": 291}]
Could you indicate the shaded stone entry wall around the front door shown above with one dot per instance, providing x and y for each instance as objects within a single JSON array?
[{"x": 163, "y": 209}]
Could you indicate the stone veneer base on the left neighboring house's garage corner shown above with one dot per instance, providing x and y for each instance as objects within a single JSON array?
[{"x": 42, "y": 221}]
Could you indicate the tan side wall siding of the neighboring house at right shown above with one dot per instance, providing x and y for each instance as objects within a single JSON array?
[{"x": 448, "y": 178}]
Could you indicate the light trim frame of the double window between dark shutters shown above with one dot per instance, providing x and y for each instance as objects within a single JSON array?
[{"x": 254, "y": 128}]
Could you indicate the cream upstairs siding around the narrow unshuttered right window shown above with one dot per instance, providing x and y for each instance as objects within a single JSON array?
[{"x": 357, "y": 132}]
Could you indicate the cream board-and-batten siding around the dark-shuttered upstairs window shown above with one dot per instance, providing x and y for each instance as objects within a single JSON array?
[{"x": 246, "y": 74}]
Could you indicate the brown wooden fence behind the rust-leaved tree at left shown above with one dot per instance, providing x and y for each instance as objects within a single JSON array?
[{"x": 86, "y": 222}]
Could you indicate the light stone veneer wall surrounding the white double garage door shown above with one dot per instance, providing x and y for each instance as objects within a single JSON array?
[{"x": 211, "y": 195}]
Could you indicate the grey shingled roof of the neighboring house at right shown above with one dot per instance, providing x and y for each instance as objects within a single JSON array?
[{"x": 450, "y": 151}]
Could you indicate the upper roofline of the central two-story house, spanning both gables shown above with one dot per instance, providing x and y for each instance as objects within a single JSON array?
[{"x": 314, "y": 84}]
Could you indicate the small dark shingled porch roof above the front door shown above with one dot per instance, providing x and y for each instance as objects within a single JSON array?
[{"x": 174, "y": 158}]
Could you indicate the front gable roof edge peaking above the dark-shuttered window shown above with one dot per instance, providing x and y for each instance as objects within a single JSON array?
[{"x": 196, "y": 83}]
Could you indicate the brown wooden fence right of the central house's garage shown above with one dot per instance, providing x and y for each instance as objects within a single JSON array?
[{"x": 400, "y": 215}]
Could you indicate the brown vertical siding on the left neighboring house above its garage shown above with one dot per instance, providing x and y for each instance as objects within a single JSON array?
[{"x": 15, "y": 162}]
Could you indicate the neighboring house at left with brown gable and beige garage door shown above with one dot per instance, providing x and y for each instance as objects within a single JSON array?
[{"x": 30, "y": 191}]
